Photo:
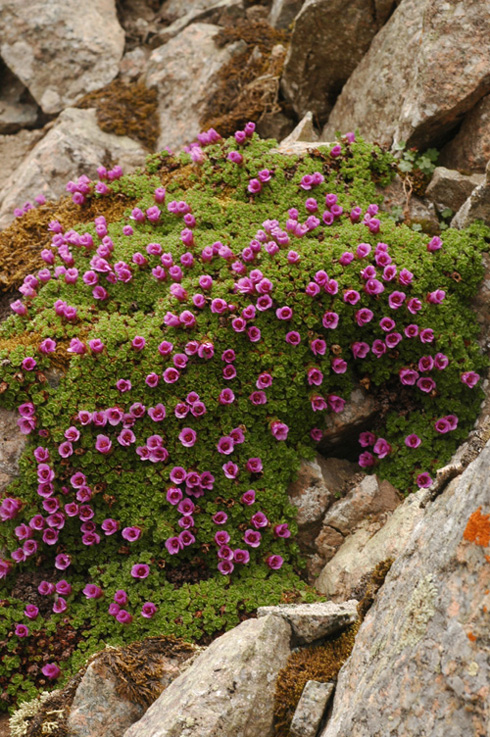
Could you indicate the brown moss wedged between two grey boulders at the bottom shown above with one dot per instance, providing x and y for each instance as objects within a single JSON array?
[{"x": 314, "y": 663}]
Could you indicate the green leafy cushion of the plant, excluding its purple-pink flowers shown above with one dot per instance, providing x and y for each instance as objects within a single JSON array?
[{"x": 193, "y": 600}]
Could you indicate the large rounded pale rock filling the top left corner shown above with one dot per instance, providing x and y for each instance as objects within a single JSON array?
[{"x": 61, "y": 51}]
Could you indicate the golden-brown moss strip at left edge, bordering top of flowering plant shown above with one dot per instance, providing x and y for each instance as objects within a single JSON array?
[{"x": 22, "y": 242}]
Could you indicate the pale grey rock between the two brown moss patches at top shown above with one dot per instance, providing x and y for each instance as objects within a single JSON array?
[{"x": 182, "y": 71}]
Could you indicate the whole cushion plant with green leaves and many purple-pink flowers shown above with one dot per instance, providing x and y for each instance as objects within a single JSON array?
[{"x": 210, "y": 332}]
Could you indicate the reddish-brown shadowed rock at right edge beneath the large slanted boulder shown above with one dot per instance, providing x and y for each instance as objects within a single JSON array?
[{"x": 470, "y": 147}]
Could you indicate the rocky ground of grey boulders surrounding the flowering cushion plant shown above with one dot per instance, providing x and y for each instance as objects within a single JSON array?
[{"x": 110, "y": 82}]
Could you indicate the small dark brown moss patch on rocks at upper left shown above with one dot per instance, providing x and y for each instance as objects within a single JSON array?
[{"x": 126, "y": 109}]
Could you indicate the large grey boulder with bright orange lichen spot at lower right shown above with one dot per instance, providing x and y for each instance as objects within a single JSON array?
[{"x": 421, "y": 659}]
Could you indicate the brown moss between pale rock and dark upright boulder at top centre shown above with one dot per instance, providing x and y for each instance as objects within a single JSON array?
[{"x": 248, "y": 86}]
